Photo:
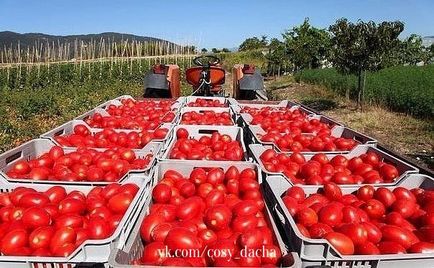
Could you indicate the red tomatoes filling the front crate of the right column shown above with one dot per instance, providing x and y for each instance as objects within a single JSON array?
[{"x": 367, "y": 222}]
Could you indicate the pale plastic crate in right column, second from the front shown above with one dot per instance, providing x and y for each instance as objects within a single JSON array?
[{"x": 404, "y": 169}]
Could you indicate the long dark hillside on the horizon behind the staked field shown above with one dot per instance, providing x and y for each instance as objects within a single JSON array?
[{"x": 8, "y": 38}]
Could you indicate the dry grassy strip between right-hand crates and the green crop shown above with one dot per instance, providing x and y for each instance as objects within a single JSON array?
[{"x": 403, "y": 133}]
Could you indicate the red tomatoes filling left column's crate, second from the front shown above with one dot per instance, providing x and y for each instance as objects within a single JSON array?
[{"x": 81, "y": 165}]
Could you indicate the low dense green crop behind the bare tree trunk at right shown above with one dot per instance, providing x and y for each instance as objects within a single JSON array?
[{"x": 405, "y": 89}]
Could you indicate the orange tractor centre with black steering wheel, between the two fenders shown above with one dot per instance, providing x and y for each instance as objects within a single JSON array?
[{"x": 207, "y": 77}]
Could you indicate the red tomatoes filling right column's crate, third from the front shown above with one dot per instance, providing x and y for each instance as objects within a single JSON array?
[{"x": 322, "y": 141}]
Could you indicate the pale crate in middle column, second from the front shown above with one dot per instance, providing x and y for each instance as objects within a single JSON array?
[{"x": 196, "y": 131}]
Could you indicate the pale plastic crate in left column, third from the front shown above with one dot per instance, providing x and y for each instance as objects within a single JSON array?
[{"x": 68, "y": 129}]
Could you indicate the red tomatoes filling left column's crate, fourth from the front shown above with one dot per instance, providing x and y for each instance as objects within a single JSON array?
[{"x": 143, "y": 122}]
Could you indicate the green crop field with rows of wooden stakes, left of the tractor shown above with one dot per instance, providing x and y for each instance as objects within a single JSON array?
[{"x": 38, "y": 97}]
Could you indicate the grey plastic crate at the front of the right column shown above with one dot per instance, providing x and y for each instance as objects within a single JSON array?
[{"x": 319, "y": 251}]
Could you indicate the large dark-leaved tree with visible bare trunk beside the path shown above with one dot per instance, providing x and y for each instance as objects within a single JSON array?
[{"x": 362, "y": 46}]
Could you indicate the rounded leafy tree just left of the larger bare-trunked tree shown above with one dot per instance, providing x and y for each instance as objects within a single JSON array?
[{"x": 307, "y": 46}]
